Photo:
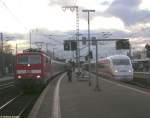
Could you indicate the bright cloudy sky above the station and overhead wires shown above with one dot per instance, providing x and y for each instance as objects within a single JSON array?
[{"x": 123, "y": 18}]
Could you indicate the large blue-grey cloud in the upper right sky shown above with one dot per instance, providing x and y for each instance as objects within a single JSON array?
[{"x": 128, "y": 11}]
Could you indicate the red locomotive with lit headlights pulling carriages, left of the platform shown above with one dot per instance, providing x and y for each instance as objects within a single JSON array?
[{"x": 35, "y": 68}]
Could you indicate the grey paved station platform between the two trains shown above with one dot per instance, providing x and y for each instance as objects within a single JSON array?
[{"x": 77, "y": 99}]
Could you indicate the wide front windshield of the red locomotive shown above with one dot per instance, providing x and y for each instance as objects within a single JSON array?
[{"x": 29, "y": 59}]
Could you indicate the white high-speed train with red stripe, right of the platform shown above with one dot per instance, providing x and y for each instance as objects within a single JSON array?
[{"x": 118, "y": 67}]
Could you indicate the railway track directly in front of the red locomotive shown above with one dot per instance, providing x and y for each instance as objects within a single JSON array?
[{"x": 18, "y": 105}]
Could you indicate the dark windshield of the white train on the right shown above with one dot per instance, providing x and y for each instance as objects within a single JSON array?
[{"x": 121, "y": 61}]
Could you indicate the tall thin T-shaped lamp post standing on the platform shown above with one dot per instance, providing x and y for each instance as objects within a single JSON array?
[{"x": 89, "y": 60}]
